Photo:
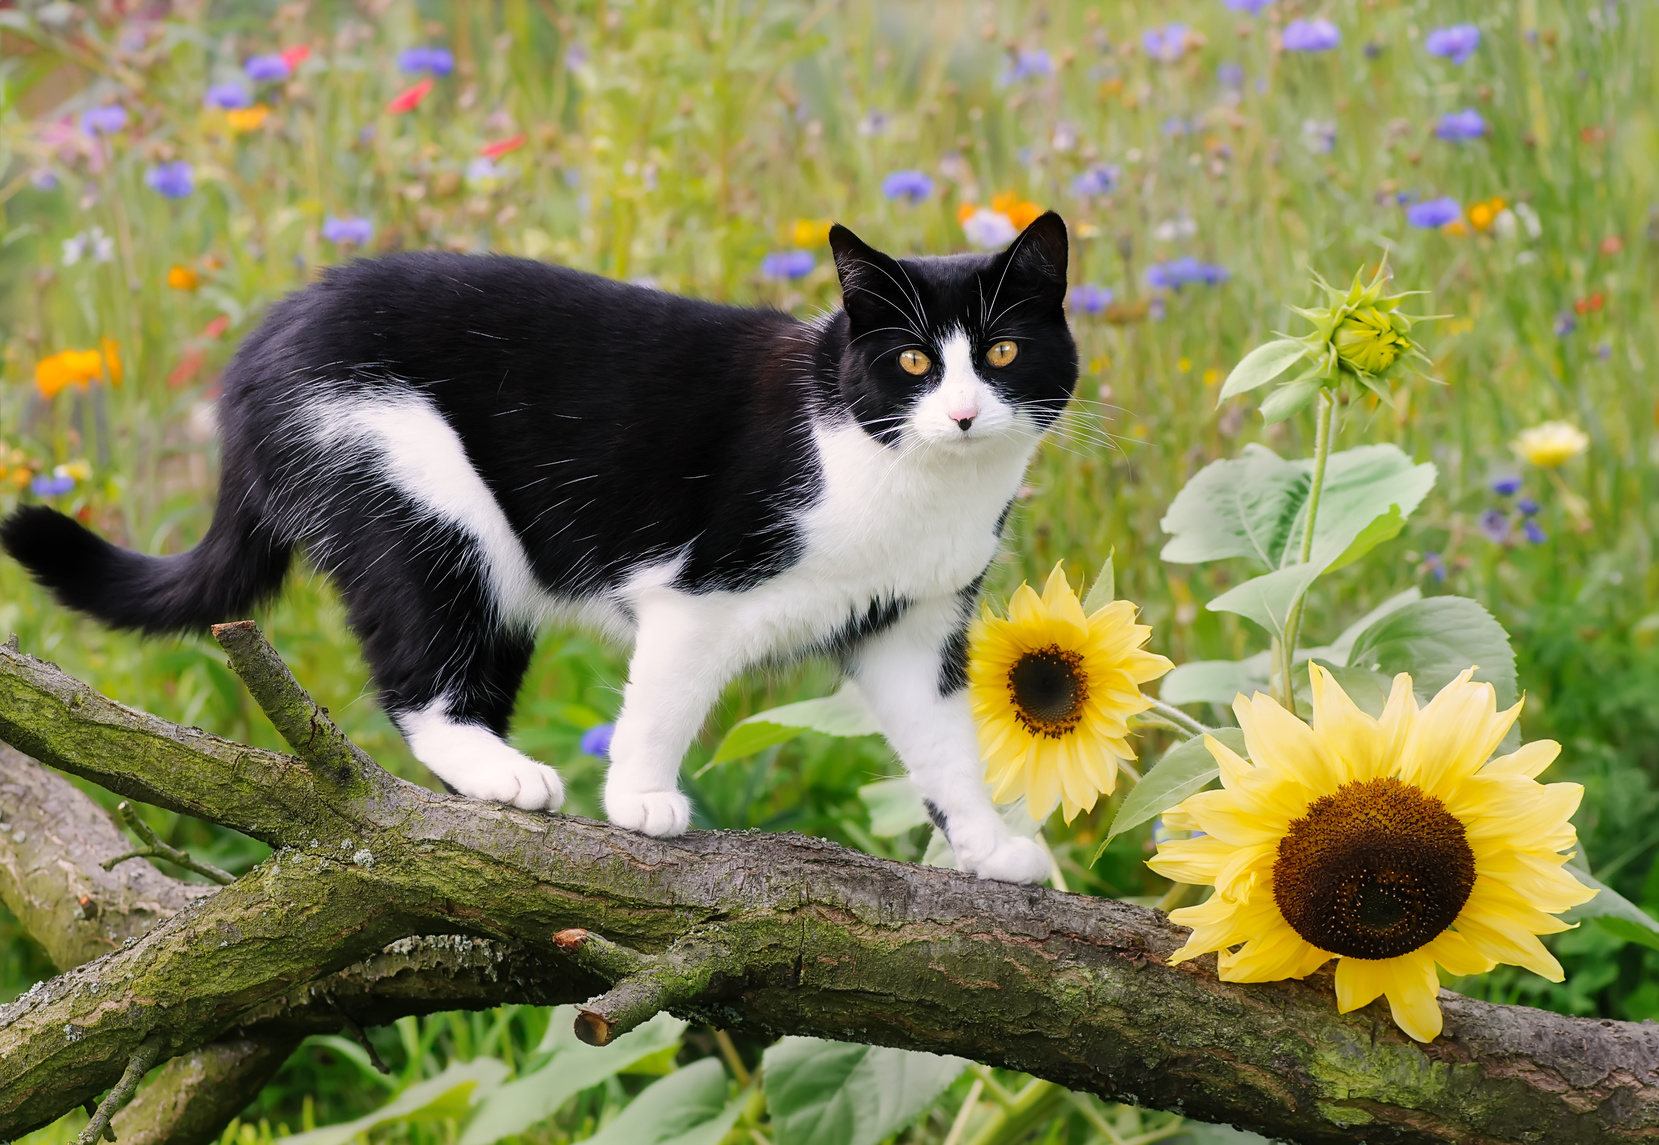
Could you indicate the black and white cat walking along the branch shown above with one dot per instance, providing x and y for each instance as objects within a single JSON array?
[{"x": 475, "y": 447}]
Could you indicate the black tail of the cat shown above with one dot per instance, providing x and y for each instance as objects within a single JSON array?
[{"x": 236, "y": 567}]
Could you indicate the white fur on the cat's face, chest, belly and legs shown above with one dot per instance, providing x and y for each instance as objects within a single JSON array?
[{"x": 915, "y": 524}]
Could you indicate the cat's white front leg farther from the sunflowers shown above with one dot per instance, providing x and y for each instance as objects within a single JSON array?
[{"x": 683, "y": 660}]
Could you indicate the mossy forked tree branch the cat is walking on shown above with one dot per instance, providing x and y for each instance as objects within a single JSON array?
[{"x": 772, "y": 933}]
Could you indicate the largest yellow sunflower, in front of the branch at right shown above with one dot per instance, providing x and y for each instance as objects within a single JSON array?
[{"x": 1389, "y": 844}]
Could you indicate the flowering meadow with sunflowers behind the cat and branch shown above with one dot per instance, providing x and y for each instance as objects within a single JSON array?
[{"x": 1365, "y": 454}]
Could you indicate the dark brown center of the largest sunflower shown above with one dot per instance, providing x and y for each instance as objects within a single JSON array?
[{"x": 1374, "y": 870}]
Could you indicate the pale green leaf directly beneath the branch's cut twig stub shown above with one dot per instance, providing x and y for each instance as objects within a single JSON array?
[{"x": 573, "y": 1068}]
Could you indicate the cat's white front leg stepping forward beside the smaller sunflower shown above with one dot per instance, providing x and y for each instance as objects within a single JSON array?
[{"x": 927, "y": 719}]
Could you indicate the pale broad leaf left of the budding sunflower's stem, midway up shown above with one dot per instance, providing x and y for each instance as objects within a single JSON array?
[{"x": 1238, "y": 507}]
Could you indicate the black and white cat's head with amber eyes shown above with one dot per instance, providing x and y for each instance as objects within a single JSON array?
[{"x": 958, "y": 351}]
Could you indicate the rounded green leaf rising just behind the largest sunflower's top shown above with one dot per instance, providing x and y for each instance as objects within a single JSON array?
[{"x": 1434, "y": 641}]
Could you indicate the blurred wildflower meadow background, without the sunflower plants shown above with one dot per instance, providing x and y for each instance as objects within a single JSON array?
[{"x": 1204, "y": 170}]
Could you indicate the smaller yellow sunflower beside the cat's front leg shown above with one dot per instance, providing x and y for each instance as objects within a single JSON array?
[{"x": 1053, "y": 691}]
